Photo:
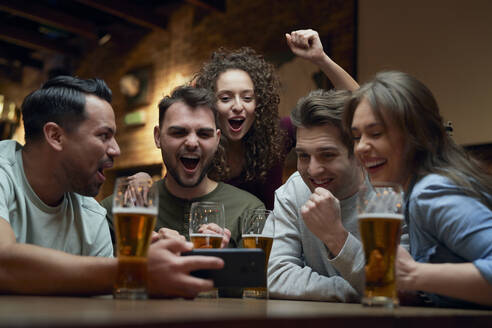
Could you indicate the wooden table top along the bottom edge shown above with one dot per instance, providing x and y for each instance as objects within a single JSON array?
[{"x": 30, "y": 311}]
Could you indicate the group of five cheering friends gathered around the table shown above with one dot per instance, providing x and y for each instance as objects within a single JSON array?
[{"x": 221, "y": 140}]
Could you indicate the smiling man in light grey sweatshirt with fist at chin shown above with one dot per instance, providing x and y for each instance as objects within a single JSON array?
[{"x": 316, "y": 254}]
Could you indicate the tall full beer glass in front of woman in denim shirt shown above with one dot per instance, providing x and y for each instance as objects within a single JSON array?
[{"x": 380, "y": 219}]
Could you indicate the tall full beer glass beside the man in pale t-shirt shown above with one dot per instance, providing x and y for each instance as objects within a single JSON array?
[{"x": 134, "y": 214}]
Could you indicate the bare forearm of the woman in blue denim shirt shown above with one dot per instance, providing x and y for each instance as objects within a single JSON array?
[{"x": 459, "y": 280}]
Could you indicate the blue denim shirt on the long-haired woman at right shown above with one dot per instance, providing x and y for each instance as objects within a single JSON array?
[{"x": 447, "y": 226}]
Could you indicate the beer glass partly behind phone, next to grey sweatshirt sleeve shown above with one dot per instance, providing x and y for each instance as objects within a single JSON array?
[{"x": 257, "y": 234}]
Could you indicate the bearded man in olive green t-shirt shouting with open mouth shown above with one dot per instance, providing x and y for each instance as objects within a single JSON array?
[{"x": 189, "y": 138}]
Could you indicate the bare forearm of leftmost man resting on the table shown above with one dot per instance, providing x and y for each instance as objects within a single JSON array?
[{"x": 30, "y": 269}]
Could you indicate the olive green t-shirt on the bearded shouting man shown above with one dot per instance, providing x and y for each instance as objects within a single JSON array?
[{"x": 174, "y": 212}]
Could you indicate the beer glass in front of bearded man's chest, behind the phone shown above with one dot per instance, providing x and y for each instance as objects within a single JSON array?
[{"x": 207, "y": 221}]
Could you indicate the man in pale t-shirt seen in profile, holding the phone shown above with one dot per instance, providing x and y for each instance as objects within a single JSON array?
[{"x": 54, "y": 238}]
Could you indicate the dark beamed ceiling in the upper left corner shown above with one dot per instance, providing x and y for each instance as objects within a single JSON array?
[{"x": 33, "y": 30}]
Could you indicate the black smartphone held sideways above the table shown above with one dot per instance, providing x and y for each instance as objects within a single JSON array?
[{"x": 242, "y": 267}]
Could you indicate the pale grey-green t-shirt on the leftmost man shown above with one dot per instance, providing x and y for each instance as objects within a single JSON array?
[{"x": 77, "y": 226}]
